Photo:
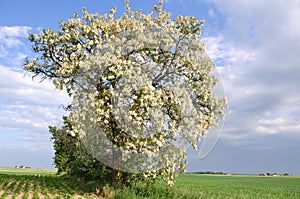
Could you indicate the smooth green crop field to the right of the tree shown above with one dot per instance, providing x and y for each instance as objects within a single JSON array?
[{"x": 210, "y": 186}]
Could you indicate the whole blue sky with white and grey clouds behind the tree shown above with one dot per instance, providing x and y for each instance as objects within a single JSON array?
[{"x": 255, "y": 44}]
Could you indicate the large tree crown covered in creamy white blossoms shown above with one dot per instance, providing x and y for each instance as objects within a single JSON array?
[{"x": 141, "y": 84}]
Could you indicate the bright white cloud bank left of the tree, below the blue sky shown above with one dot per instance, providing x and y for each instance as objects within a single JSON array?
[{"x": 29, "y": 106}]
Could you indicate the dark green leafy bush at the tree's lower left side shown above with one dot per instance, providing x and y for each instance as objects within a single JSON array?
[{"x": 71, "y": 156}]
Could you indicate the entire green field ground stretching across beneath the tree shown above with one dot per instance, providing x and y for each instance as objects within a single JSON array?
[{"x": 39, "y": 183}]
